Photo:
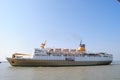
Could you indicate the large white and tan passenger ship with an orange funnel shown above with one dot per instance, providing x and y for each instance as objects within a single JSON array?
[{"x": 60, "y": 57}]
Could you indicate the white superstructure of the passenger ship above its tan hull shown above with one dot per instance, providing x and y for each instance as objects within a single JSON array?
[{"x": 47, "y": 54}]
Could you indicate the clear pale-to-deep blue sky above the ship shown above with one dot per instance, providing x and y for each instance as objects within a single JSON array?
[{"x": 25, "y": 24}]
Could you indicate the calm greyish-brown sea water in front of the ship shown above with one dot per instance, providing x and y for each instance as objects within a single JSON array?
[{"x": 108, "y": 72}]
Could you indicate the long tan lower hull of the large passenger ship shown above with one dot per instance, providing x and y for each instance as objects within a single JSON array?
[{"x": 37, "y": 63}]
